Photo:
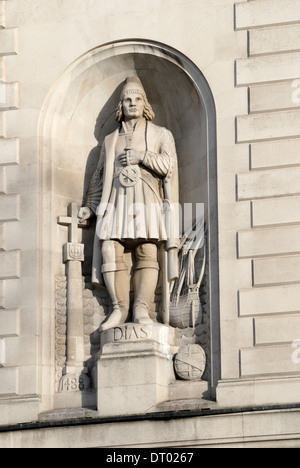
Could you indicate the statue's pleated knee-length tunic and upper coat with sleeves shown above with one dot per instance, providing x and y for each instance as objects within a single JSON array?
[{"x": 128, "y": 201}]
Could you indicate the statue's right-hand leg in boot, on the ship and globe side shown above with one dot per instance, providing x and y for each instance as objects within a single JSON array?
[{"x": 145, "y": 281}]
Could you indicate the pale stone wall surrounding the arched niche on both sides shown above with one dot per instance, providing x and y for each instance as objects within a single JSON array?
[{"x": 249, "y": 55}]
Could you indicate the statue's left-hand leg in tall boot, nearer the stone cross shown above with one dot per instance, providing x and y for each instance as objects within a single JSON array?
[{"x": 117, "y": 280}]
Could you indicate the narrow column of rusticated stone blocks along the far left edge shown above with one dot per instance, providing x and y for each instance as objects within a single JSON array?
[{"x": 10, "y": 260}]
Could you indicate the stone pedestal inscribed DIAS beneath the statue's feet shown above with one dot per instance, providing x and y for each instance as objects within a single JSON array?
[{"x": 135, "y": 369}]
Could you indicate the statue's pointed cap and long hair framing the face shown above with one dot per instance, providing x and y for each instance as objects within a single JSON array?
[{"x": 133, "y": 88}]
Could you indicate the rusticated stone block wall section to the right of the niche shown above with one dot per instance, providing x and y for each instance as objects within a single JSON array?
[{"x": 265, "y": 320}]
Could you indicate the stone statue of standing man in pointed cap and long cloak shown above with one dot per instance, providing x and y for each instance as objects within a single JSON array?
[{"x": 136, "y": 176}]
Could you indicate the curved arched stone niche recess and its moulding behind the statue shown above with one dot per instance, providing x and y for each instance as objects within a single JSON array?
[{"x": 79, "y": 113}]
